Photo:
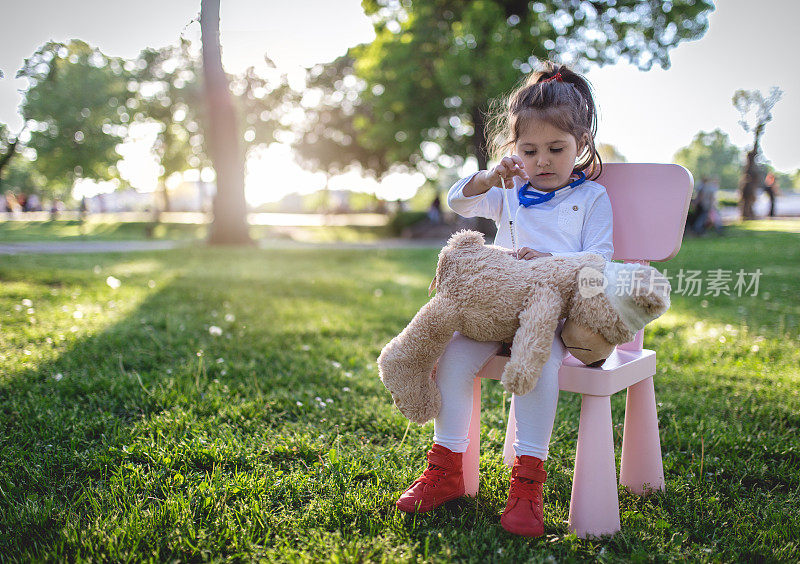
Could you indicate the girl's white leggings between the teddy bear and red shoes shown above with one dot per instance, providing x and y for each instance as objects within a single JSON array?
[{"x": 535, "y": 411}]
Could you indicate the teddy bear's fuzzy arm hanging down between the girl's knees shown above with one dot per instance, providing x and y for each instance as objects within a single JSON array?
[{"x": 532, "y": 342}]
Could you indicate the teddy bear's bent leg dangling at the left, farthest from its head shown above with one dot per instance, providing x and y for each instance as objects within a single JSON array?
[{"x": 406, "y": 363}]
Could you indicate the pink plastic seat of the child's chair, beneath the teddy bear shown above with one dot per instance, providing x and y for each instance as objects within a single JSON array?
[{"x": 621, "y": 370}]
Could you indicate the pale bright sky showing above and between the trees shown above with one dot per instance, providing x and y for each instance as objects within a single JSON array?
[{"x": 648, "y": 116}]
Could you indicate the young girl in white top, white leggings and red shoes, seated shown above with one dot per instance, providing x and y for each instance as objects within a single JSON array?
[{"x": 549, "y": 123}]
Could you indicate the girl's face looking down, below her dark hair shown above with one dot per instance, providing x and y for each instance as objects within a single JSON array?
[{"x": 548, "y": 154}]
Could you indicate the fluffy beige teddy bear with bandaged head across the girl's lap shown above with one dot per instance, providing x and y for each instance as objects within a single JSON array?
[{"x": 486, "y": 294}]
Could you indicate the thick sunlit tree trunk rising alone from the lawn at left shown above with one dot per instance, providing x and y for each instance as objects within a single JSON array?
[{"x": 229, "y": 226}]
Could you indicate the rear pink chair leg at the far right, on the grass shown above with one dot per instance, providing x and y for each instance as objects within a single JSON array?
[{"x": 641, "y": 469}]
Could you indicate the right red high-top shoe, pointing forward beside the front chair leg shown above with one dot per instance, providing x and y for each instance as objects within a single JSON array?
[{"x": 524, "y": 512}]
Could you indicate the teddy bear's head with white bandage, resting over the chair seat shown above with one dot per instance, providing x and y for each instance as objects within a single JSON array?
[{"x": 609, "y": 307}]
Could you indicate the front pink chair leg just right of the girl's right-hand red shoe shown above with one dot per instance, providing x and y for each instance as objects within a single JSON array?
[{"x": 594, "y": 507}]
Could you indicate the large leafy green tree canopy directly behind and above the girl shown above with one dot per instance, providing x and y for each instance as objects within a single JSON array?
[{"x": 420, "y": 91}]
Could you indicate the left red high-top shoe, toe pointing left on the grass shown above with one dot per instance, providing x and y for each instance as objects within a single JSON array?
[{"x": 442, "y": 481}]
